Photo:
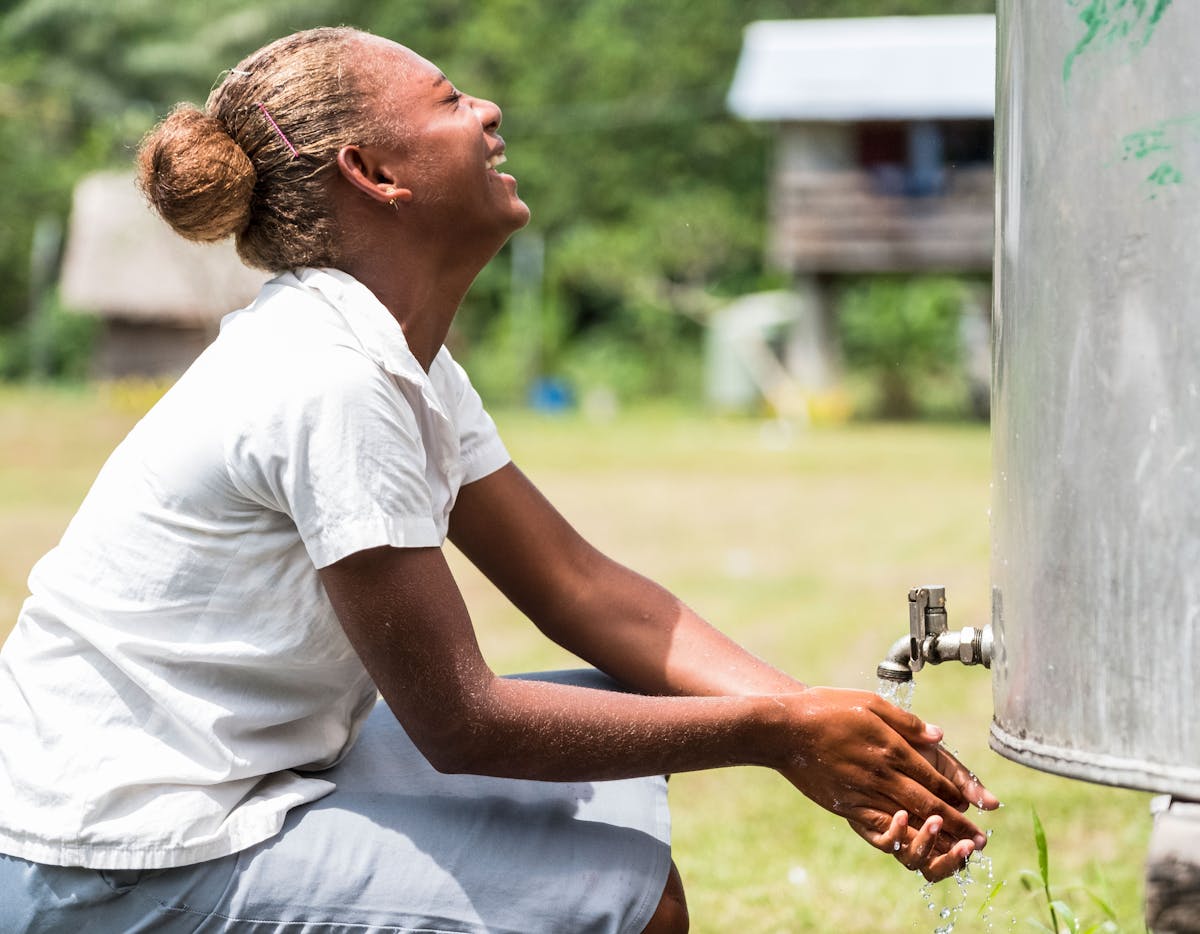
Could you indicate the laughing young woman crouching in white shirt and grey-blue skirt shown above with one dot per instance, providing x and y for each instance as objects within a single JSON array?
[{"x": 190, "y": 737}]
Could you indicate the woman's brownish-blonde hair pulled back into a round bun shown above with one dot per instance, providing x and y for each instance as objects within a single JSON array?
[{"x": 230, "y": 170}]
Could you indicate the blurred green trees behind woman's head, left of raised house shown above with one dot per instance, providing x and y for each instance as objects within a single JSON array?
[{"x": 650, "y": 197}]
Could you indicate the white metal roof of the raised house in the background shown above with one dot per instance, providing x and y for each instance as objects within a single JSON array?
[{"x": 880, "y": 68}]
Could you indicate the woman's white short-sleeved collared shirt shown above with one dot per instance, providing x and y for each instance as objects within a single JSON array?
[{"x": 178, "y": 657}]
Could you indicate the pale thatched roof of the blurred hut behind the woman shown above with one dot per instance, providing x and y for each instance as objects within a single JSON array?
[{"x": 124, "y": 262}]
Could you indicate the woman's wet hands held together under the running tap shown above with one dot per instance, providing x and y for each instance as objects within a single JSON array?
[{"x": 867, "y": 761}]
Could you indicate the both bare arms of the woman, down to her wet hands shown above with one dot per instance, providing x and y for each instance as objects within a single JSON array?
[{"x": 849, "y": 751}]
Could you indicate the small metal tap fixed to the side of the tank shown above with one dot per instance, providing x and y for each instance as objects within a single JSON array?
[{"x": 931, "y": 639}]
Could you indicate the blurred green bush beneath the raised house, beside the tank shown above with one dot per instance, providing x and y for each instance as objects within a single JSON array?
[{"x": 904, "y": 337}]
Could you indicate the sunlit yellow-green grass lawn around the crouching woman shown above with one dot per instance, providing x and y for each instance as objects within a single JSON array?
[{"x": 802, "y": 546}]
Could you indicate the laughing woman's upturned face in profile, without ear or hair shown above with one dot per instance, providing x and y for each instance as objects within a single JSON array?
[{"x": 448, "y": 147}]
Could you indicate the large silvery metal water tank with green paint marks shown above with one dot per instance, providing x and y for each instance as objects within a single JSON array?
[{"x": 1096, "y": 408}]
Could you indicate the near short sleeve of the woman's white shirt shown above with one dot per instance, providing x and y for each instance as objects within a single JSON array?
[{"x": 339, "y": 451}]
